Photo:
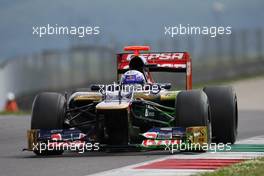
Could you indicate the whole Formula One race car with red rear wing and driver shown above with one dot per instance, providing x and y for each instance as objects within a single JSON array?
[{"x": 135, "y": 112}]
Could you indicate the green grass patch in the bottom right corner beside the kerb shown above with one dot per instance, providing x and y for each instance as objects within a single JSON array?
[{"x": 253, "y": 167}]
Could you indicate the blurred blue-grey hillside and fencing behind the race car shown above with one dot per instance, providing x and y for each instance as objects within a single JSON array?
[{"x": 30, "y": 64}]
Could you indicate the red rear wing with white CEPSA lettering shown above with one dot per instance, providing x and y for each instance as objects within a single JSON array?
[{"x": 160, "y": 62}]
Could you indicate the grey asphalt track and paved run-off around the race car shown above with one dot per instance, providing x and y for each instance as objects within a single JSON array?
[{"x": 13, "y": 139}]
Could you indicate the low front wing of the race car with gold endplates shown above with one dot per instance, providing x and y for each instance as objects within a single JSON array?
[{"x": 169, "y": 138}]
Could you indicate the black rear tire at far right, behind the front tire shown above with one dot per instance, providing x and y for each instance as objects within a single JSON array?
[{"x": 223, "y": 106}]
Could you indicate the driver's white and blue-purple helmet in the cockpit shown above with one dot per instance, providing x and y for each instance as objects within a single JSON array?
[{"x": 133, "y": 77}]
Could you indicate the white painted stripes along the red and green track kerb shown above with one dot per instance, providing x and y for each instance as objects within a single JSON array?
[{"x": 130, "y": 171}]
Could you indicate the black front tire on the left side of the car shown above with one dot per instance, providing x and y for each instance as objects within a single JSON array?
[{"x": 48, "y": 113}]
